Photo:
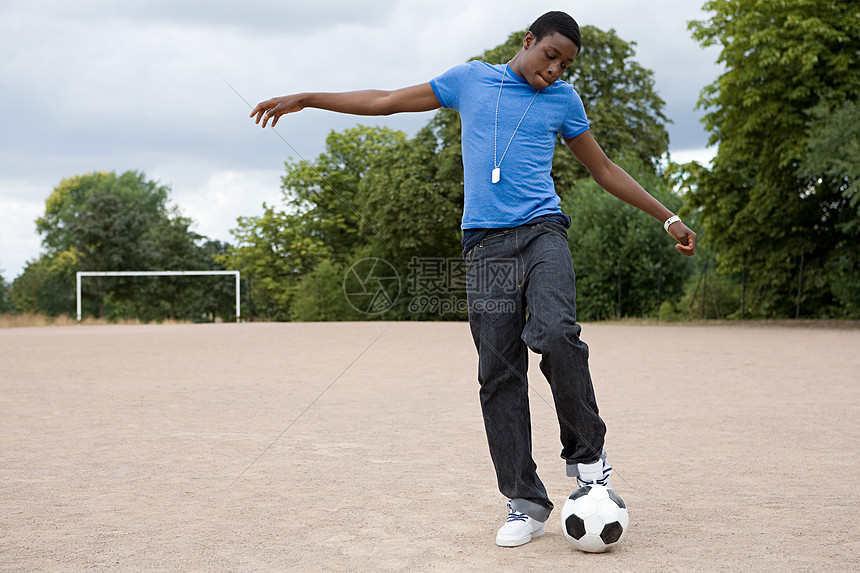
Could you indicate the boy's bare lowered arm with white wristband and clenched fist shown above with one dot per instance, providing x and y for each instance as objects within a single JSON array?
[{"x": 617, "y": 182}]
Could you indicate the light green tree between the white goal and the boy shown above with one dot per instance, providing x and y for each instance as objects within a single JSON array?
[{"x": 323, "y": 218}]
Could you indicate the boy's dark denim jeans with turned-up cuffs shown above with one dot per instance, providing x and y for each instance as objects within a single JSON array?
[{"x": 521, "y": 292}]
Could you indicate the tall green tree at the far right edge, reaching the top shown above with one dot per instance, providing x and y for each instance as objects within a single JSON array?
[{"x": 770, "y": 205}]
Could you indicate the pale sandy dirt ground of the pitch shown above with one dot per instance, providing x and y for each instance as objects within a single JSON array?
[{"x": 360, "y": 447}]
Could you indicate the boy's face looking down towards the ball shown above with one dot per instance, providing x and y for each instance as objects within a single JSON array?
[{"x": 542, "y": 63}]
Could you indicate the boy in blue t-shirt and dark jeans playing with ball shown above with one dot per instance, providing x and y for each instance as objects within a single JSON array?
[{"x": 511, "y": 116}]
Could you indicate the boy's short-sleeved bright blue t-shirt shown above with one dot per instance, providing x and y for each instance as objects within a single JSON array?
[{"x": 525, "y": 190}]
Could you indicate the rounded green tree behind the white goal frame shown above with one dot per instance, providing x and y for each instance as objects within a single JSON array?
[{"x": 105, "y": 222}]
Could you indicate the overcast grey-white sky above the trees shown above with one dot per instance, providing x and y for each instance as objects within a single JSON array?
[{"x": 107, "y": 85}]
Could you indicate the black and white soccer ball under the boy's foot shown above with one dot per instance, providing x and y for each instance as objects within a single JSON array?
[{"x": 594, "y": 518}]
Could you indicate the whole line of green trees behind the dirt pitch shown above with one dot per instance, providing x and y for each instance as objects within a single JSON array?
[{"x": 777, "y": 212}]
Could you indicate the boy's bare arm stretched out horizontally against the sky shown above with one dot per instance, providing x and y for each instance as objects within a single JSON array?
[{"x": 366, "y": 102}]
